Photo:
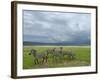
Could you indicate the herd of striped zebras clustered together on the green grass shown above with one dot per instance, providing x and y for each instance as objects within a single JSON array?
[{"x": 54, "y": 52}]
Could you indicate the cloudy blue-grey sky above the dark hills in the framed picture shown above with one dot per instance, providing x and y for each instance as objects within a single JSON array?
[{"x": 48, "y": 26}]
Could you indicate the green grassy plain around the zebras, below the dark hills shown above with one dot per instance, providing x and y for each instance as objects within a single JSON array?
[{"x": 82, "y": 57}]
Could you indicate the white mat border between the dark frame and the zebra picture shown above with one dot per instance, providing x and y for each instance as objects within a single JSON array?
[{"x": 21, "y": 72}]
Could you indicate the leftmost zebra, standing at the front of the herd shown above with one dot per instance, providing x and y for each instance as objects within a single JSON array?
[{"x": 38, "y": 56}]
